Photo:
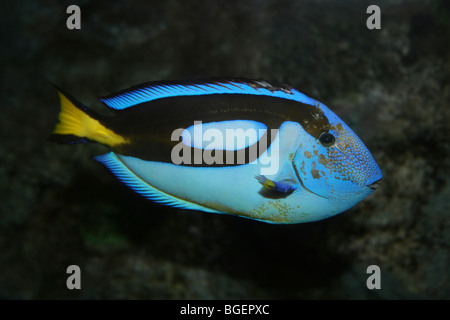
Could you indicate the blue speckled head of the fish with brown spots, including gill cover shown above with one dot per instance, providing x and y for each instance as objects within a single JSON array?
[{"x": 338, "y": 170}]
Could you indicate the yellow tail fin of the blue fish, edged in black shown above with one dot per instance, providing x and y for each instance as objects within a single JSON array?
[{"x": 74, "y": 121}]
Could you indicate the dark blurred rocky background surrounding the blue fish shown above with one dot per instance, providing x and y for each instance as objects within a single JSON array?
[{"x": 60, "y": 207}]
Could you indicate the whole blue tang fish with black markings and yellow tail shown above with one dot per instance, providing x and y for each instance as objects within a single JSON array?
[{"x": 237, "y": 146}]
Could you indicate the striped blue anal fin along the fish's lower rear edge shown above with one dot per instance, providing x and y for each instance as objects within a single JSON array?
[{"x": 127, "y": 176}]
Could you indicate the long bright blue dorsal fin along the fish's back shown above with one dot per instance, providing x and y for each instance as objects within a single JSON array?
[{"x": 166, "y": 89}]
